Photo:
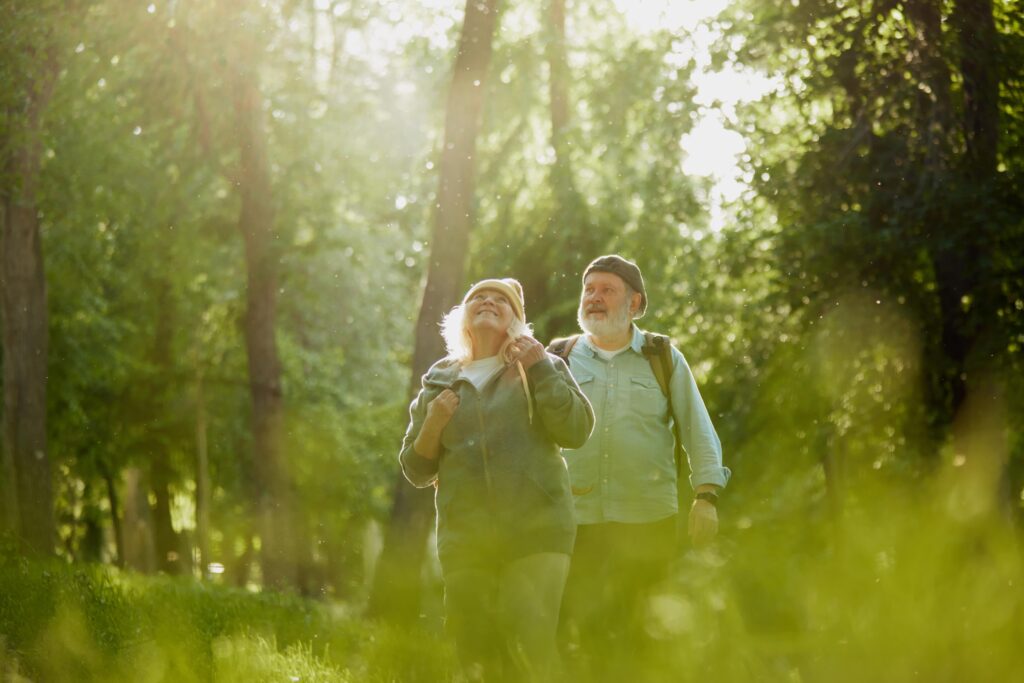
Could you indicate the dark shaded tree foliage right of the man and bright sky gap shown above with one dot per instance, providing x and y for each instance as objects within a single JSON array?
[{"x": 865, "y": 196}]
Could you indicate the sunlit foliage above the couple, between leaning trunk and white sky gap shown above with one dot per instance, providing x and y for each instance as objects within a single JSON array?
[{"x": 616, "y": 188}]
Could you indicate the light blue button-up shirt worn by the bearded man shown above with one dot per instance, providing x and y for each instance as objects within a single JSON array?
[{"x": 626, "y": 473}]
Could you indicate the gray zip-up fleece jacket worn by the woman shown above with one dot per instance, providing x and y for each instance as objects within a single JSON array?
[{"x": 502, "y": 486}]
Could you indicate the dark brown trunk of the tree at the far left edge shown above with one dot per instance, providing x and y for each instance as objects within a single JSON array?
[{"x": 25, "y": 324}]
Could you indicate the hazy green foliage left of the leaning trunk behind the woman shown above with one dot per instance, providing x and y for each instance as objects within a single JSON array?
[{"x": 147, "y": 277}]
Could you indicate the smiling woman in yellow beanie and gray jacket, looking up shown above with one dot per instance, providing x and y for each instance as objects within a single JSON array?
[{"x": 486, "y": 431}]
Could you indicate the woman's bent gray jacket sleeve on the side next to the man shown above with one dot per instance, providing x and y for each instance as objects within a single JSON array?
[{"x": 565, "y": 411}]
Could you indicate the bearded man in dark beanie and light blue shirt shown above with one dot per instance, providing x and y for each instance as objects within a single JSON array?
[{"x": 625, "y": 478}]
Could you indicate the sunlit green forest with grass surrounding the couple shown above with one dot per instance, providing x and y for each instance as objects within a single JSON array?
[{"x": 231, "y": 229}]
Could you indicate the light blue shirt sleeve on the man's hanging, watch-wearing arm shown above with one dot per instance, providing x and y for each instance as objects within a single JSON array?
[{"x": 704, "y": 450}]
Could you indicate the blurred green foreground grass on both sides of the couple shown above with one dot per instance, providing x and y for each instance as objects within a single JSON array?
[{"x": 902, "y": 587}]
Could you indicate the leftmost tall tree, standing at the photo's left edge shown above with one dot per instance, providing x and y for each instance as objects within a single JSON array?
[{"x": 30, "y": 497}]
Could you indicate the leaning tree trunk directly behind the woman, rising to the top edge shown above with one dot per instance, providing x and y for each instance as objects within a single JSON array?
[{"x": 397, "y": 585}]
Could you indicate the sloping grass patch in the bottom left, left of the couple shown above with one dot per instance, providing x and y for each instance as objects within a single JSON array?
[{"x": 61, "y": 623}]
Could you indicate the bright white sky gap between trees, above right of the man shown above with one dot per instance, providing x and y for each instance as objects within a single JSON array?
[{"x": 711, "y": 150}]
